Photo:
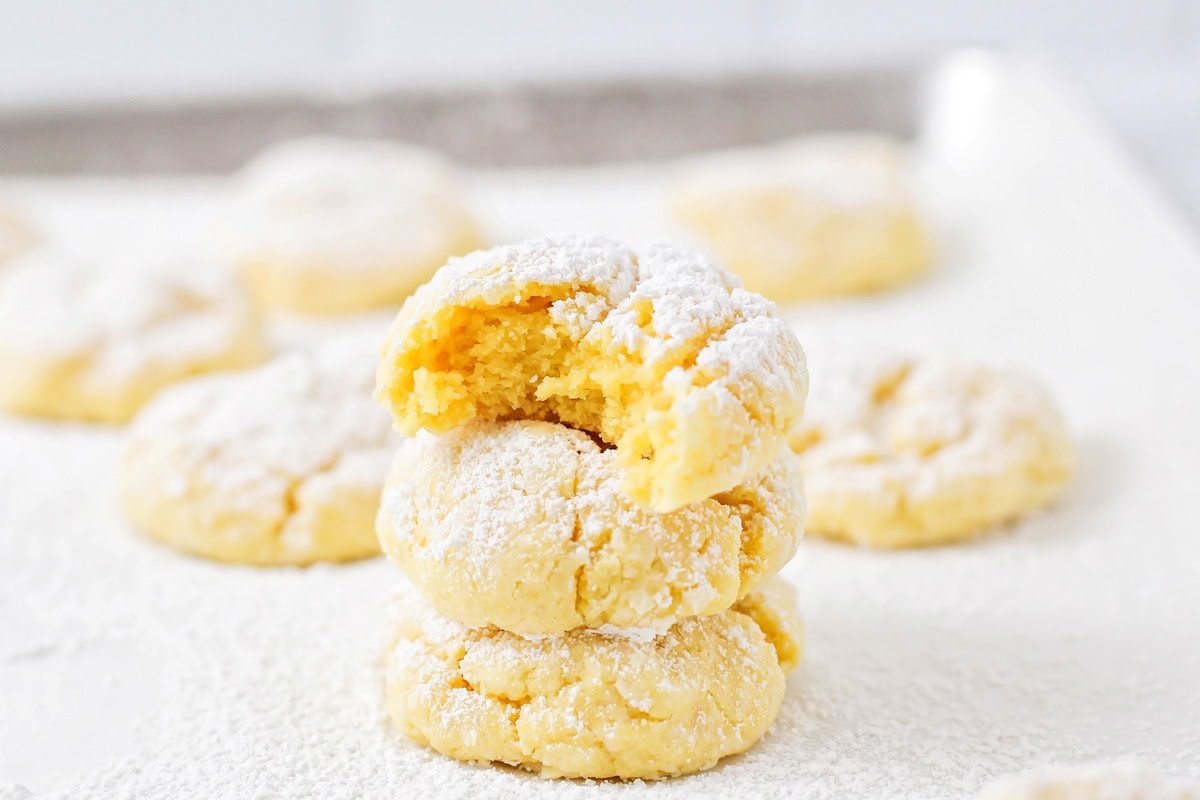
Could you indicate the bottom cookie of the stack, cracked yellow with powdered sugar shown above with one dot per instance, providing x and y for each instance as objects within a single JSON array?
[{"x": 590, "y": 703}]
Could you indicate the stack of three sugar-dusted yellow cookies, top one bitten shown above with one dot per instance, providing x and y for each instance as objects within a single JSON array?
[{"x": 596, "y": 512}]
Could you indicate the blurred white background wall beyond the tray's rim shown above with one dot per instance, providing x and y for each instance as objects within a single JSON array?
[{"x": 1138, "y": 59}]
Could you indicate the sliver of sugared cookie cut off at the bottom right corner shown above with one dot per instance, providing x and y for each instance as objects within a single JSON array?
[{"x": 1126, "y": 780}]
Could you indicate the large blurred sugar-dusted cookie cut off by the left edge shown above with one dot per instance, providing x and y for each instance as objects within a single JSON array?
[{"x": 85, "y": 341}]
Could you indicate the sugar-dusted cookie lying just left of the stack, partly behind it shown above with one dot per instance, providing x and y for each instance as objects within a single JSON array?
[{"x": 280, "y": 465}]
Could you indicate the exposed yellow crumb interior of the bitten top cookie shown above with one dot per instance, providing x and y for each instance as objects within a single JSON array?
[{"x": 527, "y": 360}]
